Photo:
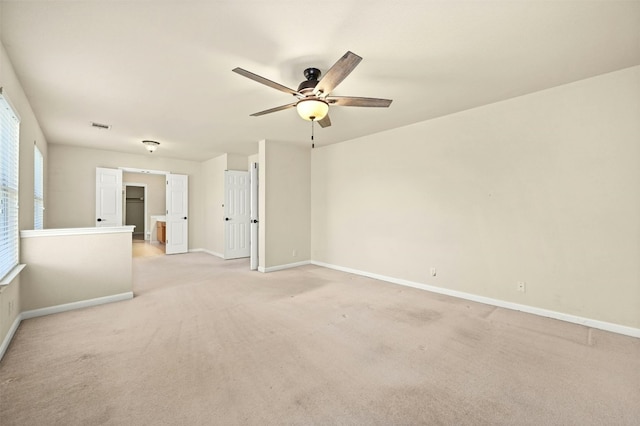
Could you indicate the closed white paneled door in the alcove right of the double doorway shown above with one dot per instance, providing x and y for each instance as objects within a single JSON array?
[{"x": 237, "y": 214}]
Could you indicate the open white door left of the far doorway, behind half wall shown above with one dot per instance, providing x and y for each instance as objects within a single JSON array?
[{"x": 108, "y": 197}]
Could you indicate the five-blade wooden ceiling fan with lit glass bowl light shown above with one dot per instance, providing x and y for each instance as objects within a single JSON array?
[{"x": 314, "y": 94}]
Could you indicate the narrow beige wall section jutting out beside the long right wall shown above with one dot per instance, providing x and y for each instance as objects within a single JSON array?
[{"x": 284, "y": 204}]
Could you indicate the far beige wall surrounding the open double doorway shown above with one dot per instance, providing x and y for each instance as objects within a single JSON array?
[{"x": 72, "y": 185}]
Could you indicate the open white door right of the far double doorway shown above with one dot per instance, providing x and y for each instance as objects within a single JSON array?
[{"x": 177, "y": 238}]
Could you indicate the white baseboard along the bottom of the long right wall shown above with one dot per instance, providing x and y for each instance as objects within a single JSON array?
[{"x": 587, "y": 322}]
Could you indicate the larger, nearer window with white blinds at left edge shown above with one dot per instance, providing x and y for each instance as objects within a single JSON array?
[{"x": 9, "y": 145}]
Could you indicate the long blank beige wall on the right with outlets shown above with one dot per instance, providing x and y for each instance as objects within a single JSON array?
[{"x": 542, "y": 188}]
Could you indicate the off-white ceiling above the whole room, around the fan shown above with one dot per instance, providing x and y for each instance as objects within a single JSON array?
[{"x": 161, "y": 70}]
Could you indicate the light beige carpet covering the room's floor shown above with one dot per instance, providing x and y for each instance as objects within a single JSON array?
[{"x": 206, "y": 341}]
